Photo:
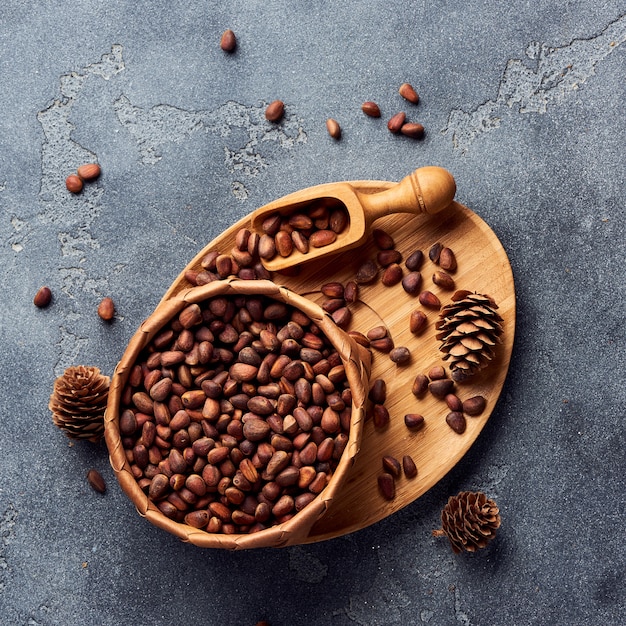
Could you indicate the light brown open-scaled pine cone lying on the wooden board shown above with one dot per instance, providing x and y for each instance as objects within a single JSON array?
[{"x": 470, "y": 328}]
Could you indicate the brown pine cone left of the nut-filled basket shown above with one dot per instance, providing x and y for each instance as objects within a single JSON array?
[{"x": 78, "y": 402}]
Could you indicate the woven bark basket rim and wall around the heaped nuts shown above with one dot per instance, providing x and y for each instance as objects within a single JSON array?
[{"x": 295, "y": 530}]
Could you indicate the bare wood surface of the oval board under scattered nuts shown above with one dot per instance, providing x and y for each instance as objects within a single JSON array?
[{"x": 483, "y": 266}]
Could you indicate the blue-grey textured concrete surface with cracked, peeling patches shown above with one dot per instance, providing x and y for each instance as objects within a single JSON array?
[{"x": 522, "y": 102}]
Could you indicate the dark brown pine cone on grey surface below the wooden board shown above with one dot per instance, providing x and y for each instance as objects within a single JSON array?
[{"x": 469, "y": 521}]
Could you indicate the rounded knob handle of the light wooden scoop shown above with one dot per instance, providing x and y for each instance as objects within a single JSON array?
[{"x": 426, "y": 190}]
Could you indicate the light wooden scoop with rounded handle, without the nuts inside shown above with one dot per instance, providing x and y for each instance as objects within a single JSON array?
[{"x": 426, "y": 190}]
